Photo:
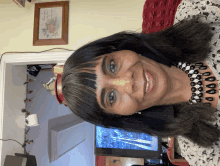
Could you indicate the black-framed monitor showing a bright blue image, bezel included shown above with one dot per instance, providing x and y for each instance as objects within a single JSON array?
[{"x": 121, "y": 143}]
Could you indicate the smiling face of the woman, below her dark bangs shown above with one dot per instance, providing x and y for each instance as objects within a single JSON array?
[{"x": 128, "y": 82}]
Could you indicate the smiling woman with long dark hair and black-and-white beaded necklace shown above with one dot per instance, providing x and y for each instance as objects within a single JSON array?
[{"x": 134, "y": 81}]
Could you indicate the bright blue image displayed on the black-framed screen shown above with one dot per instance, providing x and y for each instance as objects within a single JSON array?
[{"x": 122, "y": 139}]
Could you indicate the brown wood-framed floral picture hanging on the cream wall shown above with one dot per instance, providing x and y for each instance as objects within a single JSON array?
[{"x": 51, "y": 23}]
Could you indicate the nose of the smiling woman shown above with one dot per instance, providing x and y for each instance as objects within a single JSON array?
[{"x": 124, "y": 82}]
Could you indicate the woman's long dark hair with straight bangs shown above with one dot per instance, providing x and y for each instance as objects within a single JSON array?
[{"x": 186, "y": 41}]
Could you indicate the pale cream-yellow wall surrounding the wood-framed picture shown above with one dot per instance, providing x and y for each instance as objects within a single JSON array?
[{"x": 88, "y": 20}]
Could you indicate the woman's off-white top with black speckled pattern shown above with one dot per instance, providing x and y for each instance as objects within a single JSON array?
[{"x": 194, "y": 154}]
